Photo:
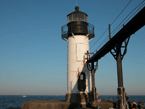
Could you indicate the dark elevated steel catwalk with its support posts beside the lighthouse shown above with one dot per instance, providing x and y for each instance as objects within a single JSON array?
[{"x": 114, "y": 46}]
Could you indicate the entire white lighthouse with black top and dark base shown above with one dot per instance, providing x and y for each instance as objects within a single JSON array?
[{"x": 78, "y": 32}]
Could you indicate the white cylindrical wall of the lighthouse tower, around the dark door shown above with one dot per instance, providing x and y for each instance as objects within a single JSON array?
[{"x": 78, "y": 45}]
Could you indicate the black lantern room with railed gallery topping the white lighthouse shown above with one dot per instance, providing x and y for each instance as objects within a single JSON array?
[{"x": 77, "y": 25}]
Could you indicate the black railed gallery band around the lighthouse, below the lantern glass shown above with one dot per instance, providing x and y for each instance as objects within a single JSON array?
[{"x": 77, "y": 29}]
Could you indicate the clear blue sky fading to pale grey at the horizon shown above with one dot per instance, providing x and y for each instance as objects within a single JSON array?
[{"x": 33, "y": 57}]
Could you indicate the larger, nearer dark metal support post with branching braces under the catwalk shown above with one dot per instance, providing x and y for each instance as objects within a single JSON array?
[{"x": 118, "y": 57}]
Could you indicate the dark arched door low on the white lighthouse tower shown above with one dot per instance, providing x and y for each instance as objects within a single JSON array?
[{"x": 82, "y": 82}]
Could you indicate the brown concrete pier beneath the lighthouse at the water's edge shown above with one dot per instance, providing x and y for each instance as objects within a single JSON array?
[{"x": 53, "y": 104}]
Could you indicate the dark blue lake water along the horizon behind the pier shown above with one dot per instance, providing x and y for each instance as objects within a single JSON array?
[{"x": 15, "y": 101}]
